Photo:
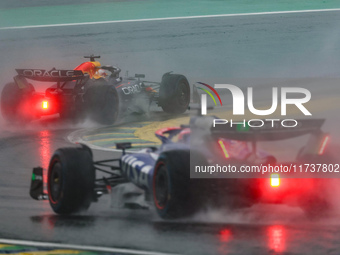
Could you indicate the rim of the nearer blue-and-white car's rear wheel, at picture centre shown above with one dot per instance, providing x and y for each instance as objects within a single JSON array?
[{"x": 161, "y": 187}]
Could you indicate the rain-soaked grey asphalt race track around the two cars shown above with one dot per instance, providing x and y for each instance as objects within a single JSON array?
[{"x": 297, "y": 49}]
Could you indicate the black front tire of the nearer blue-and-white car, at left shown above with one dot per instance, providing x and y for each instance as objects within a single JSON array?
[{"x": 70, "y": 180}]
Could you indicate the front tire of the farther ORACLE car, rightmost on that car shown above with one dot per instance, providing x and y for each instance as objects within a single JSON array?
[{"x": 174, "y": 93}]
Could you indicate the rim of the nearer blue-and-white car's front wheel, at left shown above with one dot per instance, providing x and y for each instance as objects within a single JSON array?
[{"x": 55, "y": 182}]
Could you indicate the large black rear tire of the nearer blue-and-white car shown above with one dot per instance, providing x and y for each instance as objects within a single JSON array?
[{"x": 174, "y": 193}]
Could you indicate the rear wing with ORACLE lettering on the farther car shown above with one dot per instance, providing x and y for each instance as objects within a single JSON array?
[{"x": 53, "y": 75}]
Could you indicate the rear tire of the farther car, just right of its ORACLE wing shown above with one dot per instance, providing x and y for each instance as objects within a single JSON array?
[{"x": 102, "y": 103}]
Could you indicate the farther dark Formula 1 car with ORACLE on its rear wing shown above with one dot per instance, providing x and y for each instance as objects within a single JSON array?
[{"x": 90, "y": 90}]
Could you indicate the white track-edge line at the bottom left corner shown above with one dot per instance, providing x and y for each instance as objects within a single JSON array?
[{"x": 80, "y": 247}]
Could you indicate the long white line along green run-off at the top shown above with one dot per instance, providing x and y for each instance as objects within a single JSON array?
[{"x": 169, "y": 18}]
